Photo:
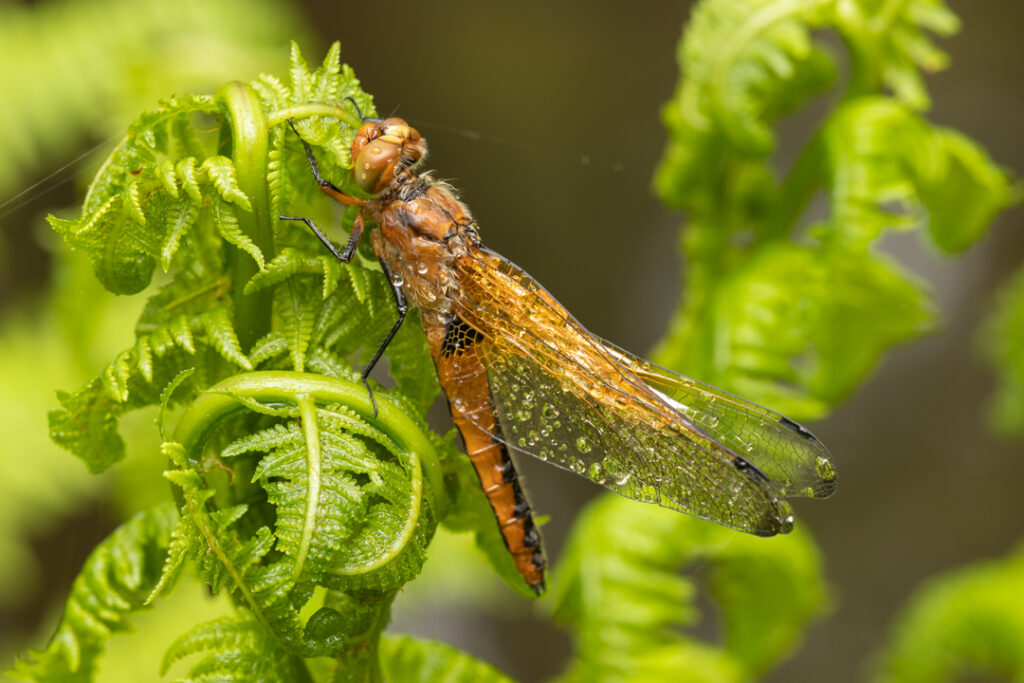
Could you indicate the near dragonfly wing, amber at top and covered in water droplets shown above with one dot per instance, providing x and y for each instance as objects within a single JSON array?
[{"x": 562, "y": 396}]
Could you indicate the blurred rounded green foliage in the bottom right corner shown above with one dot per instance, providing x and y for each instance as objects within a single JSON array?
[{"x": 969, "y": 623}]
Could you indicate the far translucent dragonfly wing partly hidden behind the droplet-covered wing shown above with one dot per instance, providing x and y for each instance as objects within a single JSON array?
[{"x": 787, "y": 452}]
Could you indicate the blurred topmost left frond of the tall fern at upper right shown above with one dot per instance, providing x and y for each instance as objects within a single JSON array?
[{"x": 747, "y": 64}]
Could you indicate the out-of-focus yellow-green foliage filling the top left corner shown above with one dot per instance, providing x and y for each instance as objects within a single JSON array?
[{"x": 94, "y": 88}]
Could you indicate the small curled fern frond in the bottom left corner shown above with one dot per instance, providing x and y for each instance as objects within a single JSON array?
[{"x": 115, "y": 582}]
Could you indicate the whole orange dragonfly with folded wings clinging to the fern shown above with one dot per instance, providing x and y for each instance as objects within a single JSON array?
[{"x": 522, "y": 374}]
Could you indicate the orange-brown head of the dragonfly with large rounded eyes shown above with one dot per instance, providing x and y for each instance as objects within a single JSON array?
[{"x": 380, "y": 149}]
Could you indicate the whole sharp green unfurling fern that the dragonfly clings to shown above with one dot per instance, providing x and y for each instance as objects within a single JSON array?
[{"x": 293, "y": 498}]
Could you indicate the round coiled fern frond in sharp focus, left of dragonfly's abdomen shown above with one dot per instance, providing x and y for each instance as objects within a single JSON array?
[{"x": 347, "y": 506}]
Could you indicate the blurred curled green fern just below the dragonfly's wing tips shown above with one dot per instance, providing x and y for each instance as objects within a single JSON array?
[{"x": 620, "y": 589}]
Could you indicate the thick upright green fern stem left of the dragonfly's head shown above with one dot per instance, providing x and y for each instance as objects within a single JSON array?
[{"x": 248, "y": 143}]
